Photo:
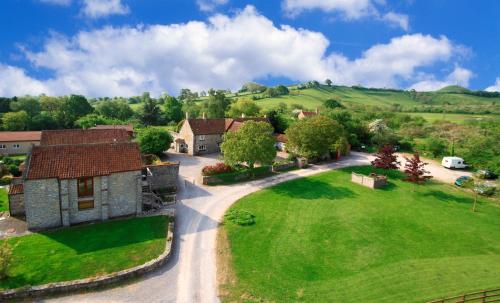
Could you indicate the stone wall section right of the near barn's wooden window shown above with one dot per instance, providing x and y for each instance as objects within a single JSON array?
[{"x": 124, "y": 194}]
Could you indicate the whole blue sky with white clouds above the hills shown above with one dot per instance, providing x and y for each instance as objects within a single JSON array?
[{"x": 125, "y": 47}]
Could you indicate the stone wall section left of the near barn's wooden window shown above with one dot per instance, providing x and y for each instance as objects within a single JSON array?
[{"x": 41, "y": 199}]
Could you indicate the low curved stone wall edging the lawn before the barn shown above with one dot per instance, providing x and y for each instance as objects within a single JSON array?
[{"x": 90, "y": 283}]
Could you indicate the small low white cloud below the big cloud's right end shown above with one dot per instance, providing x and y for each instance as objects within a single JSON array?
[{"x": 459, "y": 76}]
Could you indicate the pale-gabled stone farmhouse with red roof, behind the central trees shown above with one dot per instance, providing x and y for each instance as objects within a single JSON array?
[{"x": 204, "y": 136}]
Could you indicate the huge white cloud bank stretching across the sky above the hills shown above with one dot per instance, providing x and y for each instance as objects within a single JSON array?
[{"x": 224, "y": 52}]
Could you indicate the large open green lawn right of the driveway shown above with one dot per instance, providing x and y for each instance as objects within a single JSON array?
[{"x": 326, "y": 239}]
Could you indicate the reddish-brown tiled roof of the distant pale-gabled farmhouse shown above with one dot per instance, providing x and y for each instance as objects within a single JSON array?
[{"x": 218, "y": 126}]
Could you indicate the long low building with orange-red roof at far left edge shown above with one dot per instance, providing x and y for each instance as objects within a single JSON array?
[{"x": 16, "y": 143}]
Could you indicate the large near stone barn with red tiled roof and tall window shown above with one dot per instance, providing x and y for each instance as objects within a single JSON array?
[{"x": 77, "y": 176}]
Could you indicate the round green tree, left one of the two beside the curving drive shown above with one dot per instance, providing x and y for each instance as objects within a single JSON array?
[{"x": 252, "y": 143}]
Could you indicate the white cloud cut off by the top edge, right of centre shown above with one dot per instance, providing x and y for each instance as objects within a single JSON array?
[{"x": 350, "y": 9}]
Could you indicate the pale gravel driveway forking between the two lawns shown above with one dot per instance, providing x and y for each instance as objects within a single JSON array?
[{"x": 190, "y": 275}]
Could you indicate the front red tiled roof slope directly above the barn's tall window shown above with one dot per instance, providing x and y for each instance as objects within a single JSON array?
[{"x": 85, "y": 160}]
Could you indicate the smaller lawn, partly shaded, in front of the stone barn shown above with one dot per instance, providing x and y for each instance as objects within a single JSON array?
[{"x": 85, "y": 251}]
